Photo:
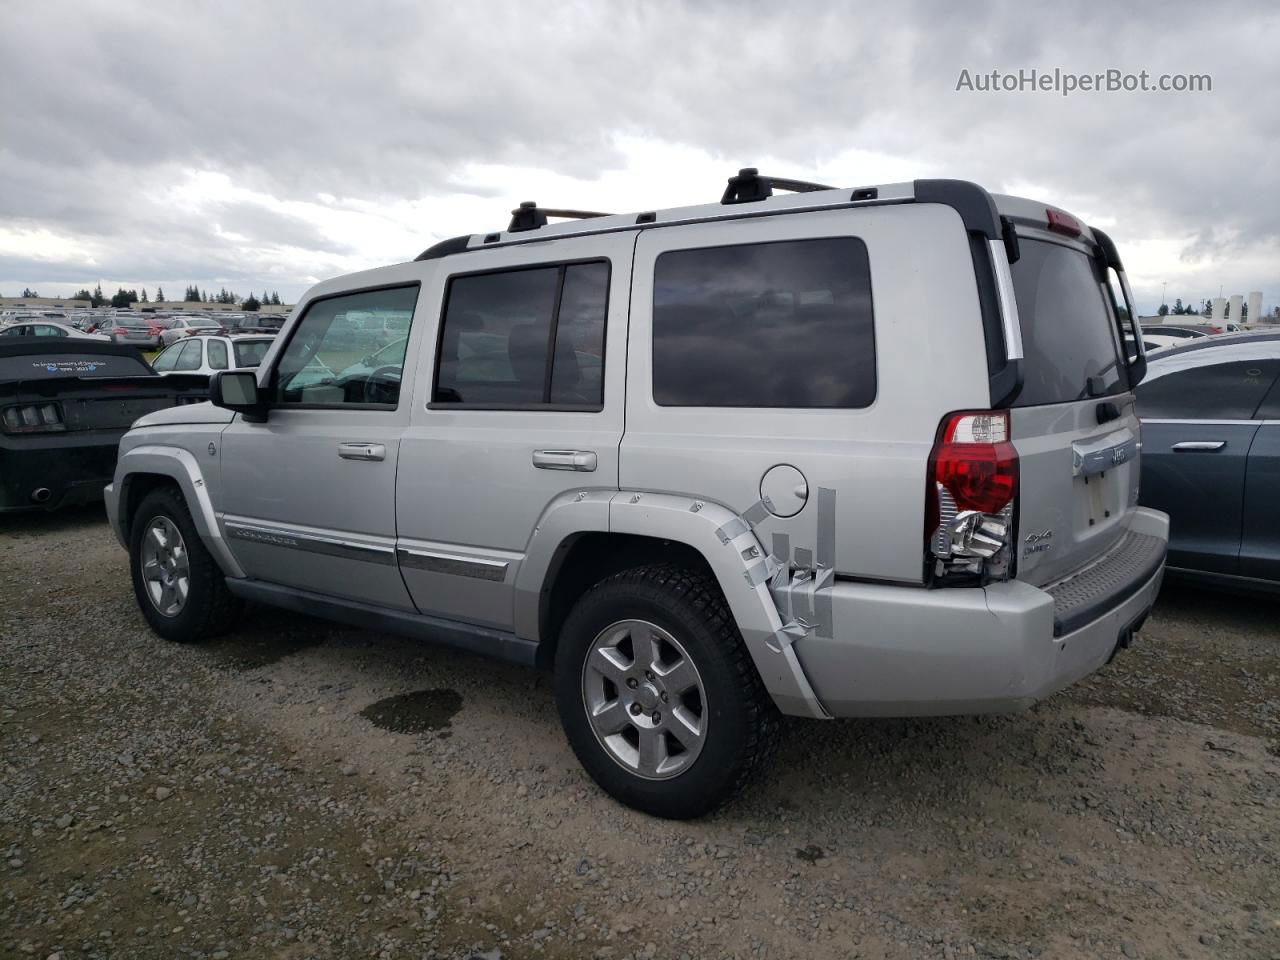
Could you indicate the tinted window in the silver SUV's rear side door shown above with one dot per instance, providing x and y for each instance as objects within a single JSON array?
[{"x": 531, "y": 337}]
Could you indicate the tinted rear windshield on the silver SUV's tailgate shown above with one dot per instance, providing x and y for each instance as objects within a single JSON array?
[{"x": 1069, "y": 333}]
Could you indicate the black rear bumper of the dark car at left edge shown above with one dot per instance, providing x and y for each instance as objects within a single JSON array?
[{"x": 56, "y": 470}]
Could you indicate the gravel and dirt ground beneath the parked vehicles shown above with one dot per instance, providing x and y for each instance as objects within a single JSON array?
[{"x": 305, "y": 790}]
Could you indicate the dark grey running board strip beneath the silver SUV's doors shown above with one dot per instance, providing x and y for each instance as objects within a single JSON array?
[{"x": 469, "y": 638}]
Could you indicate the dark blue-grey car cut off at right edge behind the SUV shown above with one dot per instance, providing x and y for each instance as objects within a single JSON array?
[{"x": 1212, "y": 456}]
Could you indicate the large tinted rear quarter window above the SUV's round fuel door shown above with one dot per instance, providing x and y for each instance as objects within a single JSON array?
[{"x": 785, "y": 324}]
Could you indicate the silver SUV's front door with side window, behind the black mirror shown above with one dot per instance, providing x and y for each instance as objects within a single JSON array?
[{"x": 309, "y": 497}]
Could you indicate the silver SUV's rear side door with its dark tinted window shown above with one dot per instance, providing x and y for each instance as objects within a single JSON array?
[{"x": 476, "y": 479}]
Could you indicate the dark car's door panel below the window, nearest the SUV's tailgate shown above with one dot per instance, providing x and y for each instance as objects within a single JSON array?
[{"x": 1200, "y": 488}]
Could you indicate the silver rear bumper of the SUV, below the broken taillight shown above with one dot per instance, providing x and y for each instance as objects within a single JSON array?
[{"x": 908, "y": 652}]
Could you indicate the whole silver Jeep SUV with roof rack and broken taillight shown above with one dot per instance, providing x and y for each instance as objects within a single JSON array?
[{"x": 830, "y": 454}]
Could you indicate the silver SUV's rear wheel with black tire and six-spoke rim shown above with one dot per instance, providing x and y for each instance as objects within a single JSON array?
[{"x": 659, "y": 696}]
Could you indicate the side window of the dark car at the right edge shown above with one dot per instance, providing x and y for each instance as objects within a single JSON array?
[{"x": 1191, "y": 387}]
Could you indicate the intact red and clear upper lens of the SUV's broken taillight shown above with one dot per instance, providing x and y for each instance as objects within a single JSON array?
[{"x": 976, "y": 463}]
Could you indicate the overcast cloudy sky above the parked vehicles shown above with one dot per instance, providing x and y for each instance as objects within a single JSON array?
[{"x": 271, "y": 145}]
